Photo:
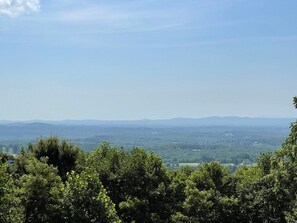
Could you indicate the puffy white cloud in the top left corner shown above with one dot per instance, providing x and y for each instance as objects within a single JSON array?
[{"x": 15, "y": 8}]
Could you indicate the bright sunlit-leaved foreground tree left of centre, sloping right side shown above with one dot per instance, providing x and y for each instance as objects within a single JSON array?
[{"x": 85, "y": 200}]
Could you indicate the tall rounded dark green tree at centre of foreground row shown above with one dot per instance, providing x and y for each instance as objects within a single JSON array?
[{"x": 148, "y": 186}]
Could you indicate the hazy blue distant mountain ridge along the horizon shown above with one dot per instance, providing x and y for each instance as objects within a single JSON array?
[{"x": 175, "y": 122}]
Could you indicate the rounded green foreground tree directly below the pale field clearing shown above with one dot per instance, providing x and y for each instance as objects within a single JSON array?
[{"x": 209, "y": 196}]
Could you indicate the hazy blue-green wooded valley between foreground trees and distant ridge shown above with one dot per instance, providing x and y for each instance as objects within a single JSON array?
[{"x": 233, "y": 143}]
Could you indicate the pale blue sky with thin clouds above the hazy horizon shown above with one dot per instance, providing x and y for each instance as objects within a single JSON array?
[{"x": 155, "y": 59}]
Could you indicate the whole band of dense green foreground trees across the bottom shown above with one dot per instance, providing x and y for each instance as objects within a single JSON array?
[{"x": 53, "y": 180}]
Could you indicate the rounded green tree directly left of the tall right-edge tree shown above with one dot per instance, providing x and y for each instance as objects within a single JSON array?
[{"x": 262, "y": 191}]
